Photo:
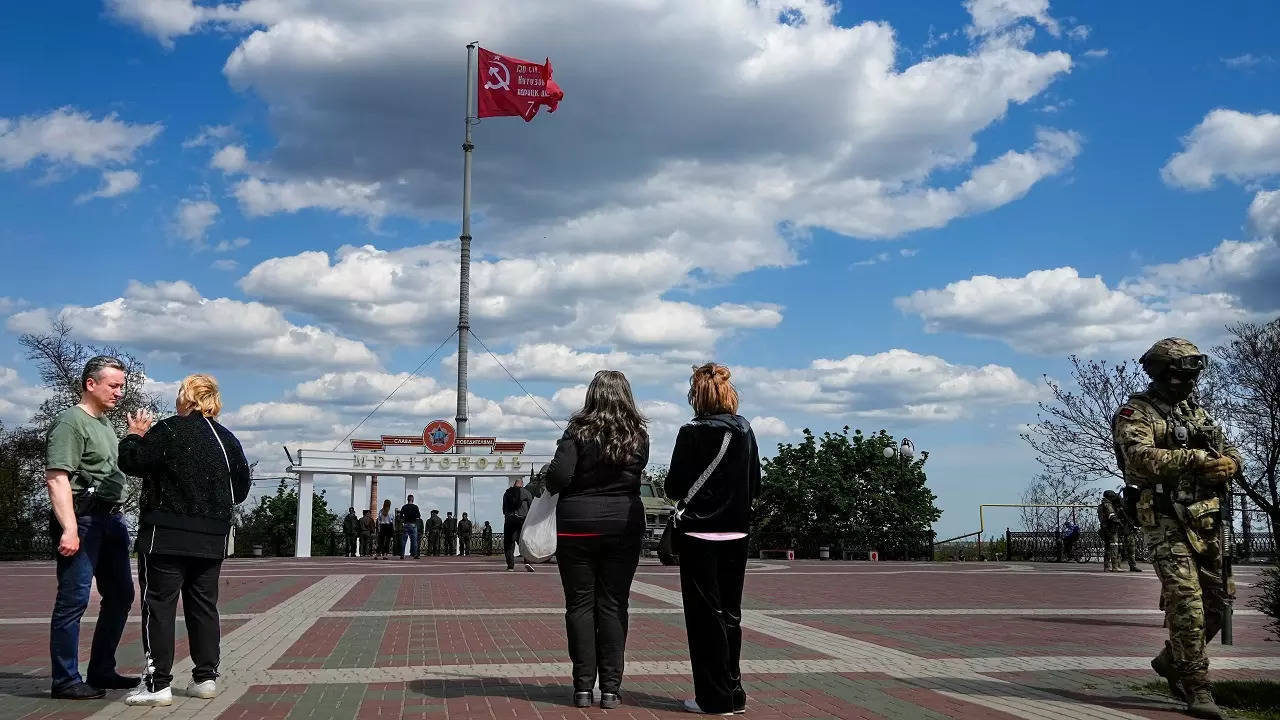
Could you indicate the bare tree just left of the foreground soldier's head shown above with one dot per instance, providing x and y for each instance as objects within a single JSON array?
[{"x": 1072, "y": 436}]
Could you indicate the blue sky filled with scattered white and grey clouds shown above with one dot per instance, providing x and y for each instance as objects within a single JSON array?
[{"x": 893, "y": 215}]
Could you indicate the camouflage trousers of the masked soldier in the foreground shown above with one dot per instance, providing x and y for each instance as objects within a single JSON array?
[{"x": 1192, "y": 596}]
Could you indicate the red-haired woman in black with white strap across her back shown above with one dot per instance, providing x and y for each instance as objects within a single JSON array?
[{"x": 712, "y": 536}]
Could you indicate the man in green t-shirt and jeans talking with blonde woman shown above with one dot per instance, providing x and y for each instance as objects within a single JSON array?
[{"x": 85, "y": 489}]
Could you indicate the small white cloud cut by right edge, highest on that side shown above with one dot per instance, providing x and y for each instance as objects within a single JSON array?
[{"x": 1229, "y": 144}]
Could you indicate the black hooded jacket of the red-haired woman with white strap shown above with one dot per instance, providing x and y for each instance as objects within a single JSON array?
[{"x": 724, "y": 504}]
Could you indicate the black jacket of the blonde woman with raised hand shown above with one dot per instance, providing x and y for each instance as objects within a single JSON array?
[{"x": 188, "y": 481}]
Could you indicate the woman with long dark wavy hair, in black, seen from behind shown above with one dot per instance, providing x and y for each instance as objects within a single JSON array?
[{"x": 600, "y": 520}]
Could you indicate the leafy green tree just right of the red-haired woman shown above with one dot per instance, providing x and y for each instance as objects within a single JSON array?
[{"x": 842, "y": 486}]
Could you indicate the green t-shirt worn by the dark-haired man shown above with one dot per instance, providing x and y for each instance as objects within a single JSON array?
[{"x": 88, "y": 449}]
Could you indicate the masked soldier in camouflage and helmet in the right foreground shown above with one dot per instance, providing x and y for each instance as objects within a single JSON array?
[{"x": 1173, "y": 450}]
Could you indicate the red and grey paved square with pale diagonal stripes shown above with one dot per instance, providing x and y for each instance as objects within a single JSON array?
[{"x": 461, "y": 639}]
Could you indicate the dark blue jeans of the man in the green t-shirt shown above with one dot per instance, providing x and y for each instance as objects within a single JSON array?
[{"x": 104, "y": 554}]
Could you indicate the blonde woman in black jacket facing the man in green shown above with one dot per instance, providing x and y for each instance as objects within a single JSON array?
[{"x": 194, "y": 473}]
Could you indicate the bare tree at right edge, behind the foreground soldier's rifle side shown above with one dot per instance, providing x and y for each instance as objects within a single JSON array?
[{"x": 1245, "y": 395}]
